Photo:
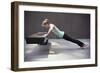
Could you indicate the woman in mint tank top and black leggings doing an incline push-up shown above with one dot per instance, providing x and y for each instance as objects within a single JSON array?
[{"x": 61, "y": 34}]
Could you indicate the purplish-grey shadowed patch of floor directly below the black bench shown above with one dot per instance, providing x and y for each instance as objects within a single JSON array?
[{"x": 34, "y": 52}]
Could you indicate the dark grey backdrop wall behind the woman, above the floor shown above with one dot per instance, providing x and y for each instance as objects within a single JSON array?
[{"x": 75, "y": 25}]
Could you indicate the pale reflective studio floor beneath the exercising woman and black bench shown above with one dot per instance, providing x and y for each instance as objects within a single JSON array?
[{"x": 64, "y": 50}]
